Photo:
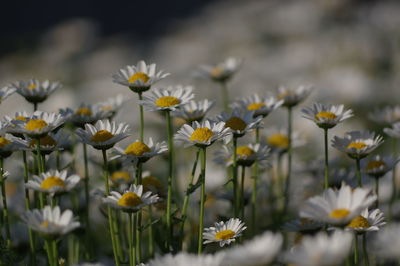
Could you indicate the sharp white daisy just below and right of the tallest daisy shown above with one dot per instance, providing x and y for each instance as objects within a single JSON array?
[{"x": 168, "y": 99}]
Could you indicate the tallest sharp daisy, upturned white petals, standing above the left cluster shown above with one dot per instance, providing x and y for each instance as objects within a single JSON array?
[{"x": 139, "y": 78}]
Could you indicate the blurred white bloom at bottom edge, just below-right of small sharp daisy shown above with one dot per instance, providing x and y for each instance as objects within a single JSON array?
[{"x": 260, "y": 250}]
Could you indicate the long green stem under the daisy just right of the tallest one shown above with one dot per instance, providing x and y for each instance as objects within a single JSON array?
[{"x": 170, "y": 177}]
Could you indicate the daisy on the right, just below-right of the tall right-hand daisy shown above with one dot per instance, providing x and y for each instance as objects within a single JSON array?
[{"x": 357, "y": 144}]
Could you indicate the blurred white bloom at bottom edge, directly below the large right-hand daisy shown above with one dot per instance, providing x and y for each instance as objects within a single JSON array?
[{"x": 321, "y": 250}]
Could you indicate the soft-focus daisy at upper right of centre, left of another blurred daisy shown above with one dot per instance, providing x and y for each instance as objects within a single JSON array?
[{"x": 259, "y": 105}]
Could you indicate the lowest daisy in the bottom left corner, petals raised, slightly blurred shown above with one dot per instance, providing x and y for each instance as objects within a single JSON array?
[{"x": 50, "y": 221}]
